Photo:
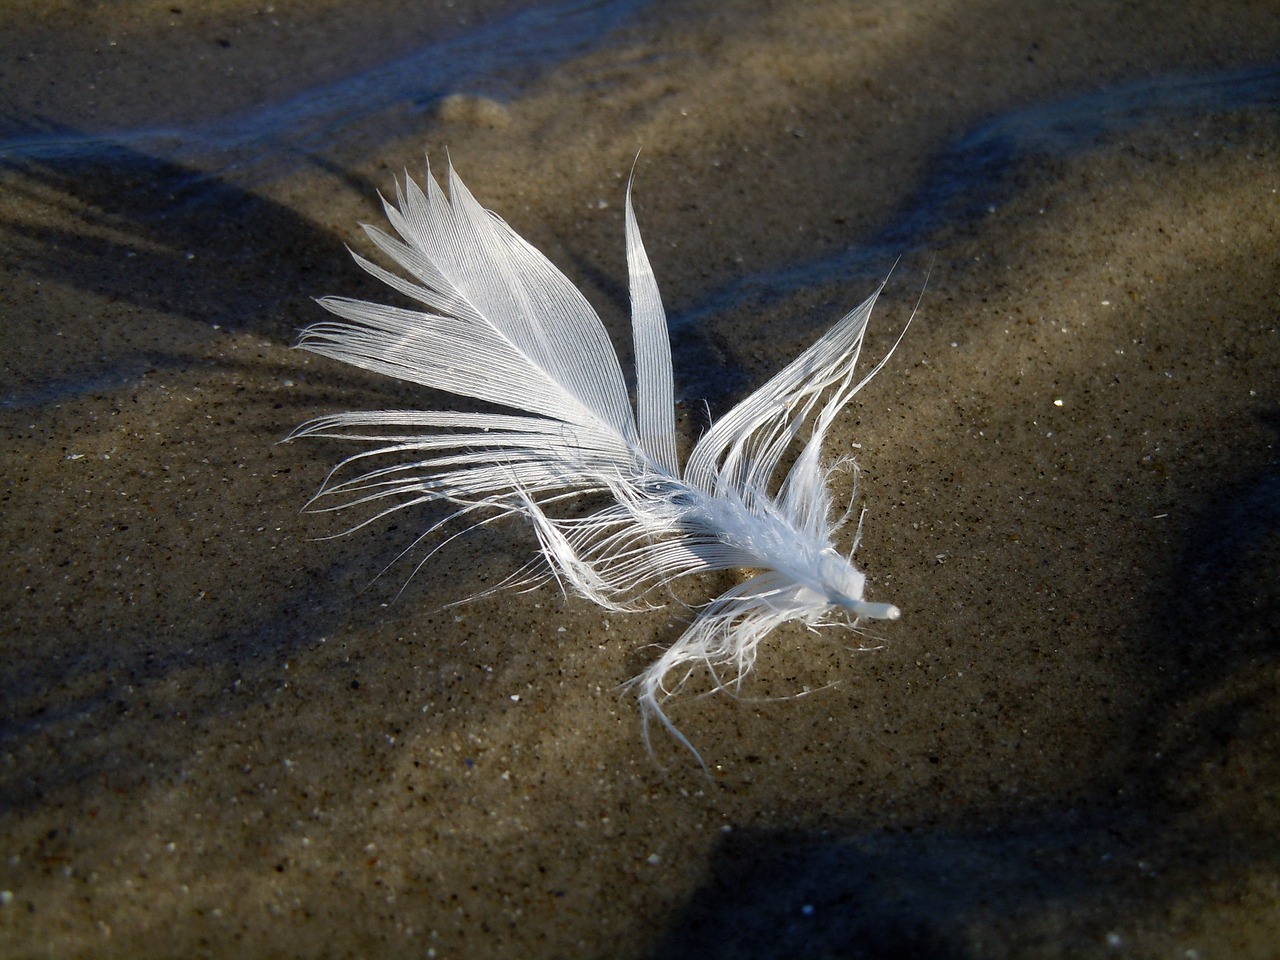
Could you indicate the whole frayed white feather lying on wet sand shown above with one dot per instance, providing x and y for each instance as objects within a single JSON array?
[{"x": 501, "y": 324}]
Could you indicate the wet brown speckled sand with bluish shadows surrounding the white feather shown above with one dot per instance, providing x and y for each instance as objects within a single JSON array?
[{"x": 221, "y": 737}]
